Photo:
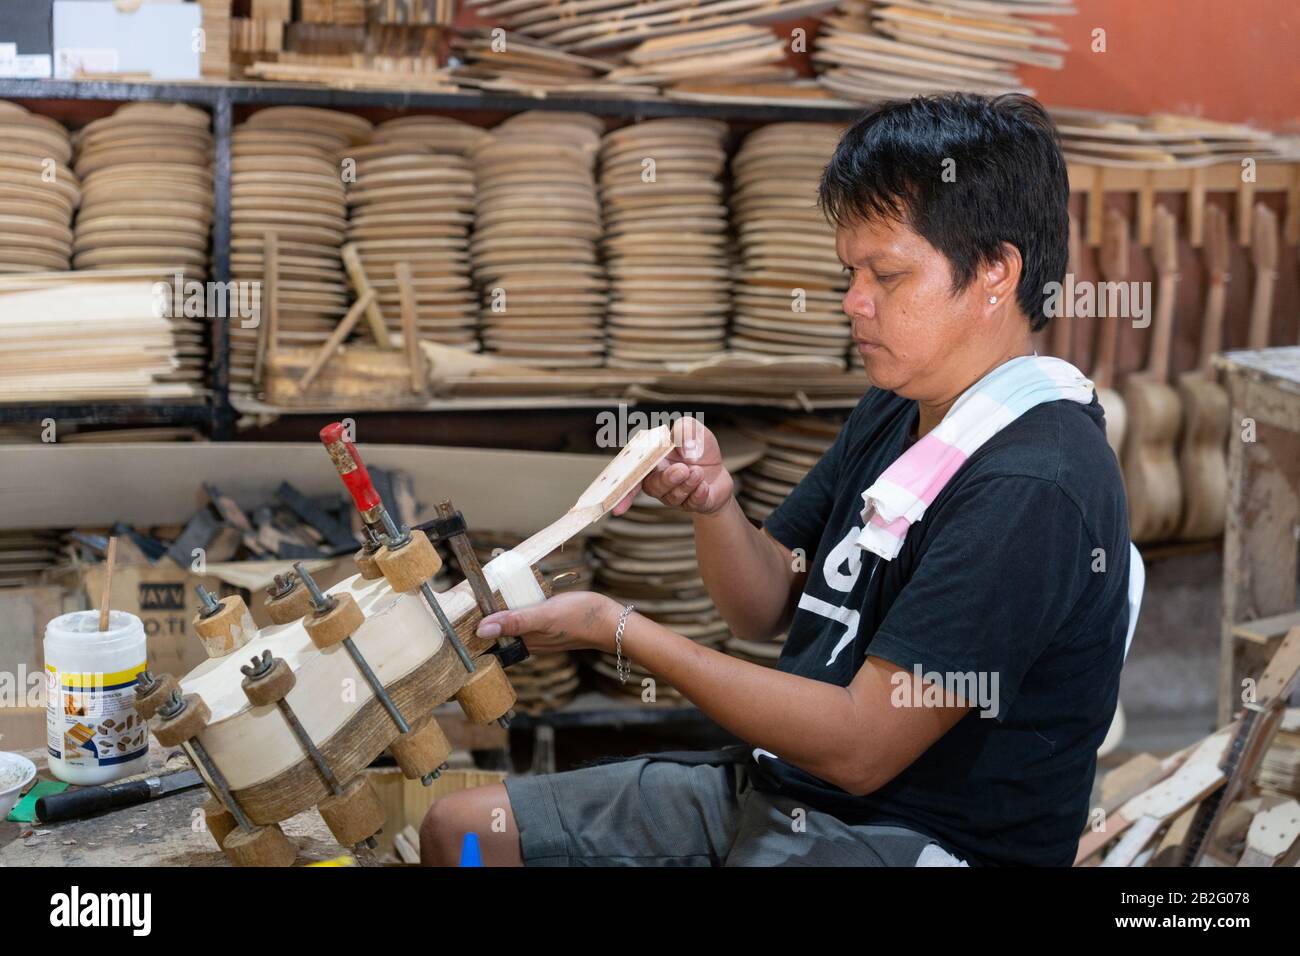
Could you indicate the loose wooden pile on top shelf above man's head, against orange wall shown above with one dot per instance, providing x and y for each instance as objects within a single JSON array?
[{"x": 879, "y": 51}]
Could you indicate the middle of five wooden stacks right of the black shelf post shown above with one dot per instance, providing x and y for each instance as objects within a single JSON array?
[{"x": 535, "y": 244}]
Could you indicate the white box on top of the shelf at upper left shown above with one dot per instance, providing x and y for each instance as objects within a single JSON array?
[{"x": 97, "y": 37}]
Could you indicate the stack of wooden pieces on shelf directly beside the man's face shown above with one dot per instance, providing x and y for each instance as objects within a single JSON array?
[{"x": 791, "y": 283}]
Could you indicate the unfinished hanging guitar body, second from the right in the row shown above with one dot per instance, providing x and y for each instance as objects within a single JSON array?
[{"x": 1151, "y": 470}]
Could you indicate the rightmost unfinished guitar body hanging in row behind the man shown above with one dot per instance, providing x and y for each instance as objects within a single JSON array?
[{"x": 1201, "y": 458}]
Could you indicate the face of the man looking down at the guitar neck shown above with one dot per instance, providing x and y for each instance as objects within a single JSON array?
[{"x": 915, "y": 336}]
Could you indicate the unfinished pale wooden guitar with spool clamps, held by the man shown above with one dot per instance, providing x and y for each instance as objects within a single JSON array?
[{"x": 253, "y": 745}]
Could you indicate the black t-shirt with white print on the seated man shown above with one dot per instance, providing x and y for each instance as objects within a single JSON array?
[{"x": 1017, "y": 572}]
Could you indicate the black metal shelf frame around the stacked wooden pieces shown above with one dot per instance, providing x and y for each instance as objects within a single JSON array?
[{"x": 222, "y": 100}]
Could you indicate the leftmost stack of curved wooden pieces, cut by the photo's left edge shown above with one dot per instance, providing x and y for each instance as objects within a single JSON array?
[{"x": 38, "y": 193}]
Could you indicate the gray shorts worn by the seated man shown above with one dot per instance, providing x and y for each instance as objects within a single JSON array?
[{"x": 661, "y": 812}]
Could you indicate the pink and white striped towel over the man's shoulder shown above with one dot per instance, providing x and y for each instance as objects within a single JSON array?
[{"x": 902, "y": 495}]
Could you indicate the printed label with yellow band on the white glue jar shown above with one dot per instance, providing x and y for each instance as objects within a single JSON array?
[{"x": 92, "y": 717}]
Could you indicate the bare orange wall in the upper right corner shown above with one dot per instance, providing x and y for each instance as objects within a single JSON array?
[{"x": 1238, "y": 62}]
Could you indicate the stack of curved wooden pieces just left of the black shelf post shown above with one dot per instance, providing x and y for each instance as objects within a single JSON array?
[{"x": 146, "y": 176}]
